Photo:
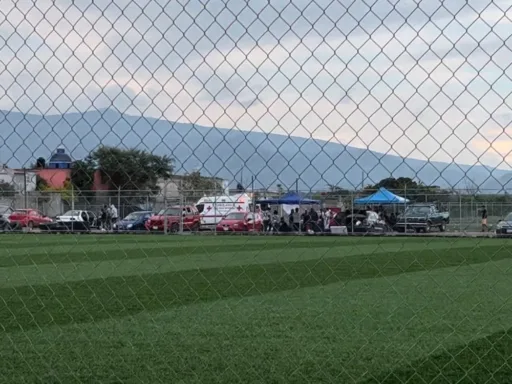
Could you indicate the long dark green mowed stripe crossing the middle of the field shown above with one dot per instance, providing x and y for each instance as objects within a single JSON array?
[{"x": 92, "y": 300}]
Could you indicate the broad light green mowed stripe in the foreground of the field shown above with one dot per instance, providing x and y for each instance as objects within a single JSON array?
[{"x": 337, "y": 333}]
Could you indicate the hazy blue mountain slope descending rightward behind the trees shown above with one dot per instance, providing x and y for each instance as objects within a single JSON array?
[{"x": 228, "y": 153}]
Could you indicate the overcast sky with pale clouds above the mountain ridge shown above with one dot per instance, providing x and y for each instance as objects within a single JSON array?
[{"x": 431, "y": 79}]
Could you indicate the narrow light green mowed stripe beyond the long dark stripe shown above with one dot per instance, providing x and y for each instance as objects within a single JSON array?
[{"x": 110, "y": 262}]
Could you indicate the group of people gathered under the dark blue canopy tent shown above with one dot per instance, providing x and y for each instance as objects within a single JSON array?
[{"x": 309, "y": 220}]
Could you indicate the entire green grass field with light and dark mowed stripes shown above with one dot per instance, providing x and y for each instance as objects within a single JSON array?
[{"x": 188, "y": 309}]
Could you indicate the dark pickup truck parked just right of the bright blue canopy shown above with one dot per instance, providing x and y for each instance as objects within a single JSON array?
[{"x": 422, "y": 217}]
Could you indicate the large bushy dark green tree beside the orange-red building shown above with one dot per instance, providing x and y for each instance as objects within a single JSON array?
[{"x": 131, "y": 169}]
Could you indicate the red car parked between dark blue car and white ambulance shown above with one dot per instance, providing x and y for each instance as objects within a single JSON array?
[{"x": 174, "y": 215}]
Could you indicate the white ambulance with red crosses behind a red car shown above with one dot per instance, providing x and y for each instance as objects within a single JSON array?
[{"x": 214, "y": 208}]
